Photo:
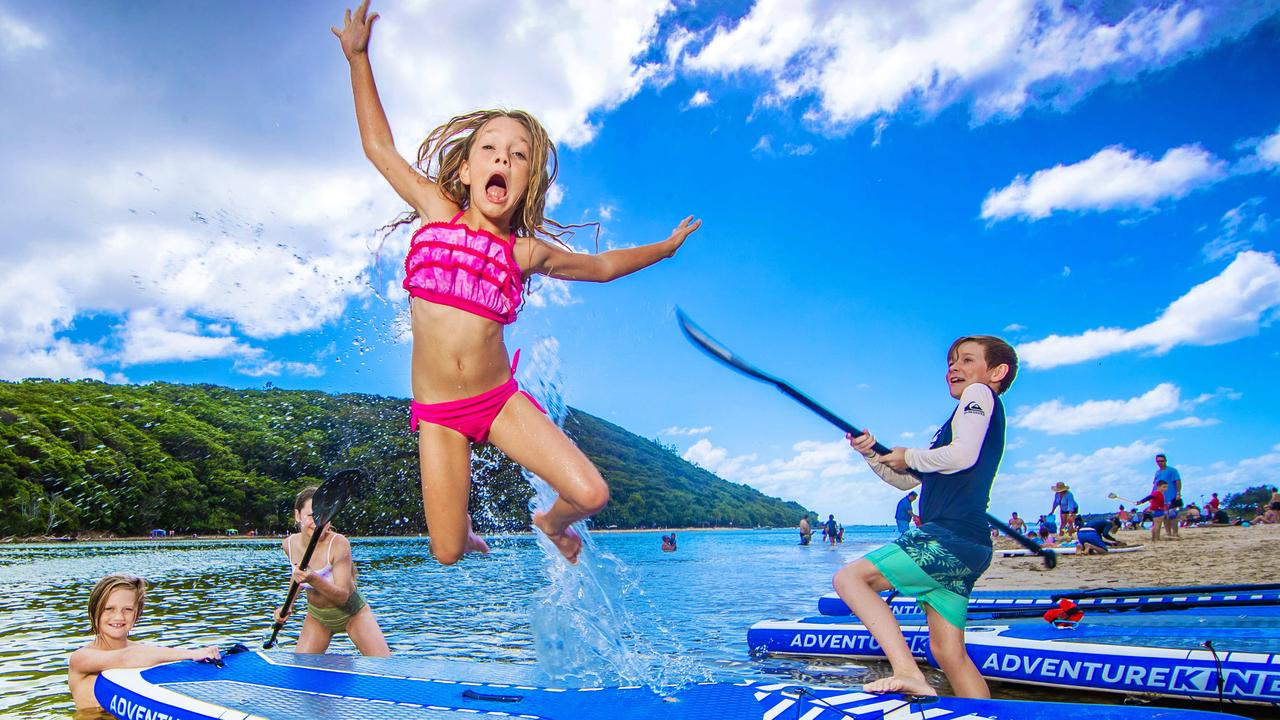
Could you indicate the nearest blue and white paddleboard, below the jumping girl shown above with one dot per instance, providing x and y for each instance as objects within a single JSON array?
[{"x": 254, "y": 686}]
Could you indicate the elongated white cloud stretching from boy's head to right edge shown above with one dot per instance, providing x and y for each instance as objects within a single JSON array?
[{"x": 1226, "y": 308}]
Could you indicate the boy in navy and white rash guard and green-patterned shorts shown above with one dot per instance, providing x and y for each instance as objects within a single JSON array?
[{"x": 940, "y": 562}]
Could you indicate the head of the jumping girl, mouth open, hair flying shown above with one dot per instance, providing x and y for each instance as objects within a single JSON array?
[{"x": 500, "y": 161}]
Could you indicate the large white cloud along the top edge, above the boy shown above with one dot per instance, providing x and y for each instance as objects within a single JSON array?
[{"x": 858, "y": 61}]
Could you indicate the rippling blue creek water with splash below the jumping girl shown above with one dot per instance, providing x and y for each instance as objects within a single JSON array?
[{"x": 668, "y": 617}]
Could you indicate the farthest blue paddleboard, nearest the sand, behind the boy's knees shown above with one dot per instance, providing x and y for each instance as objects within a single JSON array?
[{"x": 982, "y": 601}]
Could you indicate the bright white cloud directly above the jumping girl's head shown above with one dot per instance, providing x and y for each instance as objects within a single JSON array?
[{"x": 561, "y": 61}]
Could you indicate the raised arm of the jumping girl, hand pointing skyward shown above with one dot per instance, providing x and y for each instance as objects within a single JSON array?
[{"x": 376, "y": 133}]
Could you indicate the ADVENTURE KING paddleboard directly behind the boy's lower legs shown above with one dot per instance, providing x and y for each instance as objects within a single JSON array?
[{"x": 1228, "y": 657}]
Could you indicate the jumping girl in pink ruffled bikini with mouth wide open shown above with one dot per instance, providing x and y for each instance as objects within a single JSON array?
[{"x": 481, "y": 189}]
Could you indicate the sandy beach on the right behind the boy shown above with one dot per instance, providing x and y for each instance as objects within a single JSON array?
[{"x": 1210, "y": 555}]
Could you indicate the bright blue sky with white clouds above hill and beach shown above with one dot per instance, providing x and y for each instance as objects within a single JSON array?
[{"x": 186, "y": 200}]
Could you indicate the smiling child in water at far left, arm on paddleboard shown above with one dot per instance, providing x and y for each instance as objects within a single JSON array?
[{"x": 115, "y": 607}]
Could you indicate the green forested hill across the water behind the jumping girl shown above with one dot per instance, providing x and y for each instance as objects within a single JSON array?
[{"x": 86, "y": 455}]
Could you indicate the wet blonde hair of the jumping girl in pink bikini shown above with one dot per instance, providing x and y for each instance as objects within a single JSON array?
[{"x": 441, "y": 157}]
